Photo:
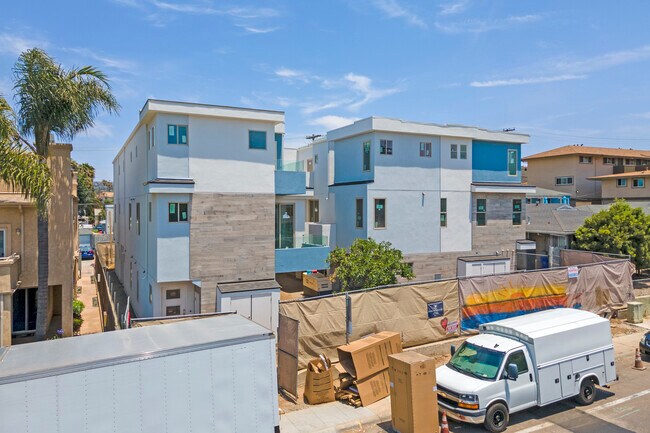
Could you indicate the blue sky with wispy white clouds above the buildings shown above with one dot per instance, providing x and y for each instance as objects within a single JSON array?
[{"x": 564, "y": 72}]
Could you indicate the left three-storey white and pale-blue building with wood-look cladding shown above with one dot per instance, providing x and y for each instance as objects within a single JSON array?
[{"x": 195, "y": 210}]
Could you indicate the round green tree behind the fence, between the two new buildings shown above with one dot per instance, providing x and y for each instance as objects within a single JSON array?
[{"x": 368, "y": 264}]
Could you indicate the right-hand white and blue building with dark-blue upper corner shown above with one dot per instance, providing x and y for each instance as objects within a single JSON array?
[{"x": 435, "y": 192}]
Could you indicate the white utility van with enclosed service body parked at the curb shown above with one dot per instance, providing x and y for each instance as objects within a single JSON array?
[{"x": 526, "y": 361}]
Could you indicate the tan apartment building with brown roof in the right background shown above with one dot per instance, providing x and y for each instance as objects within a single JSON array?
[{"x": 576, "y": 170}]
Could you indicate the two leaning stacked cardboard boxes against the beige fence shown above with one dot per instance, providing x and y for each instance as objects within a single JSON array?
[{"x": 365, "y": 362}]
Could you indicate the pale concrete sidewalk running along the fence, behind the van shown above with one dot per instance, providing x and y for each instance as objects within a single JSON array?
[{"x": 337, "y": 417}]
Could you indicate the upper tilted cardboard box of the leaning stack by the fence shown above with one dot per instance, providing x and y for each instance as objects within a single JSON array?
[{"x": 365, "y": 357}]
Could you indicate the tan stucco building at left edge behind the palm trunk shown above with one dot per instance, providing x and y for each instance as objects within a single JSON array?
[{"x": 19, "y": 253}]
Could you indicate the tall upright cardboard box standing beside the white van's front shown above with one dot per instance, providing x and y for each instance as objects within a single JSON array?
[{"x": 413, "y": 393}]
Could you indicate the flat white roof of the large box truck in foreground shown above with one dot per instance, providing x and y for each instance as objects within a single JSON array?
[{"x": 53, "y": 357}]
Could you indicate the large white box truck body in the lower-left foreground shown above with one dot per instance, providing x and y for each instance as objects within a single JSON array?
[{"x": 213, "y": 374}]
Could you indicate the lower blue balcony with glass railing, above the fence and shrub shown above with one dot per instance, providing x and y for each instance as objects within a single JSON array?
[{"x": 301, "y": 253}]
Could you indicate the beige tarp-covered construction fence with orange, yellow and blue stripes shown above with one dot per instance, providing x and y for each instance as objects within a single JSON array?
[{"x": 433, "y": 311}]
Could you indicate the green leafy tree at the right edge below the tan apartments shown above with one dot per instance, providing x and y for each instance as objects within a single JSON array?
[{"x": 620, "y": 229}]
